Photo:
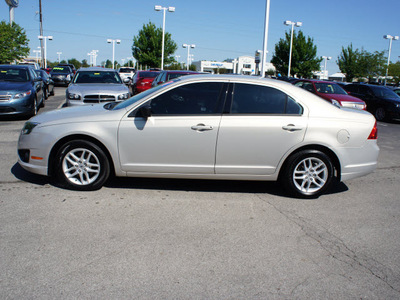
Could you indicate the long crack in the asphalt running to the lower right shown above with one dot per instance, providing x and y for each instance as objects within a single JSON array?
[{"x": 338, "y": 250}]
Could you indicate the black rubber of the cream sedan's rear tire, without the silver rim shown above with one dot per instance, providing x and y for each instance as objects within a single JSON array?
[{"x": 292, "y": 162}]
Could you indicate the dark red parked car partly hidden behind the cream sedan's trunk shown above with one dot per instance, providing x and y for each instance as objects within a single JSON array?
[{"x": 331, "y": 92}]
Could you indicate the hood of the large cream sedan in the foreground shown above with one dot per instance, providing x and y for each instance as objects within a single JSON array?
[{"x": 95, "y": 113}]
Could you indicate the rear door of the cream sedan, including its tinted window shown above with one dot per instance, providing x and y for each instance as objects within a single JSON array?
[{"x": 262, "y": 125}]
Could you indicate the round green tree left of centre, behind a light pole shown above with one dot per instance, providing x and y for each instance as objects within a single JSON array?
[{"x": 146, "y": 47}]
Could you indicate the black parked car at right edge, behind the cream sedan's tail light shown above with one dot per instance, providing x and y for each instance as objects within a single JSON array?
[{"x": 381, "y": 101}]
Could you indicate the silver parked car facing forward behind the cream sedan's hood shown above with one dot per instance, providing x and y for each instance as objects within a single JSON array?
[{"x": 96, "y": 85}]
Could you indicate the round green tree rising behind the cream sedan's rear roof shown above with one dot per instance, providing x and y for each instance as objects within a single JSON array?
[{"x": 304, "y": 55}]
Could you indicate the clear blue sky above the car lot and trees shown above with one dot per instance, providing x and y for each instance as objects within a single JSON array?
[{"x": 220, "y": 29}]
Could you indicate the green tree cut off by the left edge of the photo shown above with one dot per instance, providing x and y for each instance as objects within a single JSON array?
[{"x": 13, "y": 43}]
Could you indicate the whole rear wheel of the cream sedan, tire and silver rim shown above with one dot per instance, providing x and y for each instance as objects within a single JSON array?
[{"x": 307, "y": 174}]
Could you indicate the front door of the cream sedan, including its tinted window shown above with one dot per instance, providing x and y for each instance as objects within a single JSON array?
[{"x": 179, "y": 136}]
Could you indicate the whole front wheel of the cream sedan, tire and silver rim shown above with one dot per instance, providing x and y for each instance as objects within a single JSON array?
[{"x": 82, "y": 166}]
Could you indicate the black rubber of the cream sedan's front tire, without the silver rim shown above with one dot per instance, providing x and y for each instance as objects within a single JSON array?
[{"x": 104, "y": 166}]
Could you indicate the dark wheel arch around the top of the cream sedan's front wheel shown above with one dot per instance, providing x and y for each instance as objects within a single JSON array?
[{"x": 58, "y": 145}]
